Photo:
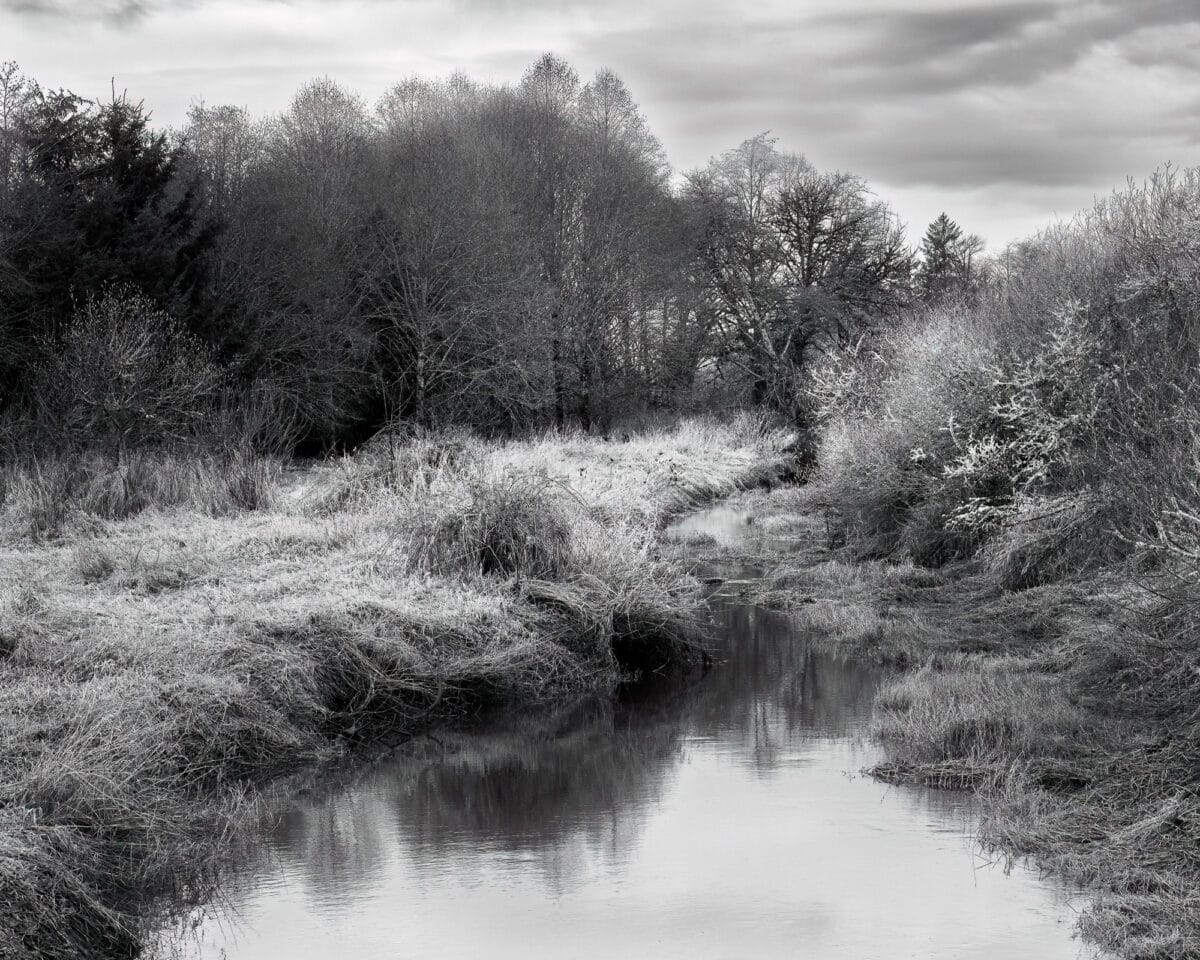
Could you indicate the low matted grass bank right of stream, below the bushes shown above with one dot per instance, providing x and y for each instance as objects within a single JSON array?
[{"x": 1052, "y": 703}]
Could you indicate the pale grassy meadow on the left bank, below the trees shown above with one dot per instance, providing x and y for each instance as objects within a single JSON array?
[{"x": 176, "y": 633}]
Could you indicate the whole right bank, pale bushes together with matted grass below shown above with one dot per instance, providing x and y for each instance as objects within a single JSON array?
[{"x": 1040, "y": 443}]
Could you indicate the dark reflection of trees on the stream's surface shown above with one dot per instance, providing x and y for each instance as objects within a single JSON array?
[{"x": 567, "y": 789}]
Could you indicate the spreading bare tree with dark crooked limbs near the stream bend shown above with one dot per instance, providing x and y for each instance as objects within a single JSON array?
[{"x": 793, "y": 262}]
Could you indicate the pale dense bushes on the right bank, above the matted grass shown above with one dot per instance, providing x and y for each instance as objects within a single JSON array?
[{"x": 1051, "y": 419}]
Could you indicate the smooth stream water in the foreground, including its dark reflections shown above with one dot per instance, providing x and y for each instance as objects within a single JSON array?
[{"x": 728, "y": 819}]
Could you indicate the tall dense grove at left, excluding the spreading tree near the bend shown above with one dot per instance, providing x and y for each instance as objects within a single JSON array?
[{"x": 499, "y": 257}]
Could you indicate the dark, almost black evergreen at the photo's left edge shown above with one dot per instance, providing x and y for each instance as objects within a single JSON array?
[{"x": 98, "y": 199}]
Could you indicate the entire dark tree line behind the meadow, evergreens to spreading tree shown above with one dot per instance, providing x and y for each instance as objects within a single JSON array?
[{"x": 505, "y": 257}]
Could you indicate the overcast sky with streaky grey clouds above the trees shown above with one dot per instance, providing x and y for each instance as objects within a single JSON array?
[{"x": 1006, "y": 115}]
